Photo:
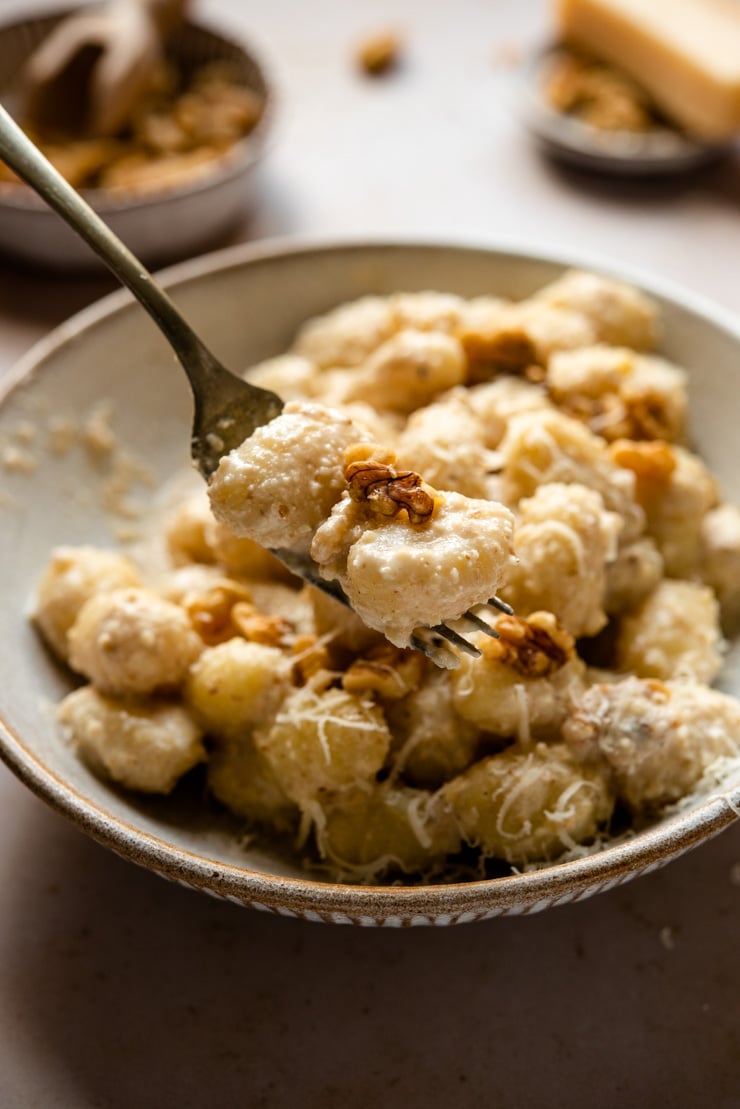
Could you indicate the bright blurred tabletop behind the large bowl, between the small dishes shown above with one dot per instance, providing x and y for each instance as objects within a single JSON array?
[{"x": 435, "y": 147}]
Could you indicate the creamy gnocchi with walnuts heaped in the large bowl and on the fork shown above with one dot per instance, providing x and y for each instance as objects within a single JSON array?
[{"x": 433, "y": 451}]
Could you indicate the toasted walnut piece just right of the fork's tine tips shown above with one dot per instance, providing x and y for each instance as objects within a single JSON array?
[{"x": 535, "y": 647}]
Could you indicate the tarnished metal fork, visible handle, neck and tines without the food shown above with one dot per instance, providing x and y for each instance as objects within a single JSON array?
[{"x": 227, "y": 409}]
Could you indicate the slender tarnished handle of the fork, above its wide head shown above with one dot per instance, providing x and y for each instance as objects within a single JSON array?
[{"x": 29, "y": 164}]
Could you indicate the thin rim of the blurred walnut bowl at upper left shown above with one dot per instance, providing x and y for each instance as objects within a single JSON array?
[{"x": 232, "y": 164}]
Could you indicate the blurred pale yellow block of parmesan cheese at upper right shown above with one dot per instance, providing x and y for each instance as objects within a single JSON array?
[{"x": 686, "y": 54}]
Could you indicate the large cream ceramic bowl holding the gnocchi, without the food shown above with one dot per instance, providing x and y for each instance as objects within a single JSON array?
[{"x": 248, "y": 303}]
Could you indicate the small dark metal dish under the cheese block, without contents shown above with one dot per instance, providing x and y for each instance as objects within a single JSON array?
[{"x": 655, "y": 154}]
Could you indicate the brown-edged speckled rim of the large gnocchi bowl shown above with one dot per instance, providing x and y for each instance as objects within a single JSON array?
[{"x": 523, "y": 893}]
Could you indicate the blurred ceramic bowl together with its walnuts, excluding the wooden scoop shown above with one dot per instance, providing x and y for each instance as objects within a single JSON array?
[{"x": 174, "y": 178}]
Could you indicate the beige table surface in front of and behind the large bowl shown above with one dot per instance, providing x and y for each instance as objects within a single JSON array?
[{"x": 118, "y": 990}]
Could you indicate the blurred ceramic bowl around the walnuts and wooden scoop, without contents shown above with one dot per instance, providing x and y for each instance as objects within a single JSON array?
[{"x": 160, "y": 227}]
